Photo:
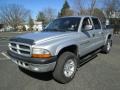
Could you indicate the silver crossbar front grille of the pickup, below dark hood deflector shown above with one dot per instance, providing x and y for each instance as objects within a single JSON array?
[{"x": 20, "y": 48}]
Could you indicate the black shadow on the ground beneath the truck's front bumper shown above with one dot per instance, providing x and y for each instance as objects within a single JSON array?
[{"x": 40, "y": 76}]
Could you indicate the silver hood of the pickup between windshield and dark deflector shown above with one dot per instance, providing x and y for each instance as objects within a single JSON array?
[{"x": 44, "y": 36}]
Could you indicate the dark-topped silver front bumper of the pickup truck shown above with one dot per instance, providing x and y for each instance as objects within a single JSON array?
[{"x": 33, "y": 64}]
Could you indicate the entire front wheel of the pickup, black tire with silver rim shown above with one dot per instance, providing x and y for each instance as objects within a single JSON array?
[{"x": 66, "y": 67}]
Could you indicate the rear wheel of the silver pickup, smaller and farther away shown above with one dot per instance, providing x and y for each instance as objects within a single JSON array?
[{"x": 107, "y": 47}]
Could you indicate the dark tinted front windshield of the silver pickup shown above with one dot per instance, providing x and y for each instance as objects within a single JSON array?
[{"x": 64, "y": 24}]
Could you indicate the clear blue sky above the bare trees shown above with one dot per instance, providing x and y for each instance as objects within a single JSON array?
[{"x": 37, "y": 5}]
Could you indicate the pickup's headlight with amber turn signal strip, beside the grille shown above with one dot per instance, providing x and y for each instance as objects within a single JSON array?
[{"x": 40, "y": 53}]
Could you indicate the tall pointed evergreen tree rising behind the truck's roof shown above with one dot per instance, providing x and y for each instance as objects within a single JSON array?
[{"x": 66, "y": 11}]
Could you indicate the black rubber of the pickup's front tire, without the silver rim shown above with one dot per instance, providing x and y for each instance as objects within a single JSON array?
[{"x": 59, "y": 70}]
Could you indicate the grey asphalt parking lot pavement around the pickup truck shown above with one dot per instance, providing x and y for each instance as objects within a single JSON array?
[{"x": 101, "y": 73}]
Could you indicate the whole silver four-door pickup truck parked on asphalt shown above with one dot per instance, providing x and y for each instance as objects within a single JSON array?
[{"x": 59, "y": 47}]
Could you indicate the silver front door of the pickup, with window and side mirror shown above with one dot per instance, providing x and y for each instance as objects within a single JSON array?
[{"x": 86, "y": 37}]
